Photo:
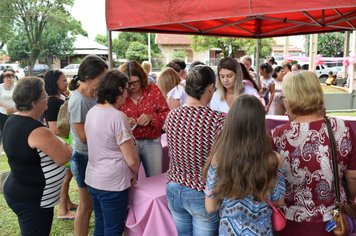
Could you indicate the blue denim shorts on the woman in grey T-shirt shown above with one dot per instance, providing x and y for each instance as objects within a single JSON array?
[{"x": 78, "y": 166}]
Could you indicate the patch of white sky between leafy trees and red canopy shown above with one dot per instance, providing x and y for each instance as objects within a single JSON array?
[{"x": 92, "y": 15}]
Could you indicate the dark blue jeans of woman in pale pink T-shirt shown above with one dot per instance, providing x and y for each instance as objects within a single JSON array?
[{"x": 110, "y": 211}]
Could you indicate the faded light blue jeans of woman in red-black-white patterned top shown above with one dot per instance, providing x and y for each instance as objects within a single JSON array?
[{"x": 188, "y": 210}]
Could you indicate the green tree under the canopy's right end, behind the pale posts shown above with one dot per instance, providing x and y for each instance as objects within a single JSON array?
[{"x": 329, "y": 44}]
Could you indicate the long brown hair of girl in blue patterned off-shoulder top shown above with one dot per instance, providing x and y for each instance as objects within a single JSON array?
[{"x": 246, "y": 162}]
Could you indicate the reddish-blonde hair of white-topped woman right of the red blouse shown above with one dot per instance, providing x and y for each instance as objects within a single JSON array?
[{"x": 167, "y": 80}]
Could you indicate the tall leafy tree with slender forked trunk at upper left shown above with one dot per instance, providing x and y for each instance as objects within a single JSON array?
[{"x": 33, "y": 18}]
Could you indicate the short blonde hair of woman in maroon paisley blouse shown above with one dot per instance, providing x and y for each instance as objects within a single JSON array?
[{"x": 303, "y": 92}]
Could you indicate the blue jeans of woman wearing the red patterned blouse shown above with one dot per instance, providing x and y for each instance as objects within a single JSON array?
[{"x": 151, "y": 155}]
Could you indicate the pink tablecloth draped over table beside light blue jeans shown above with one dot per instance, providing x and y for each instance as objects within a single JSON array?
[{"x": 148, "y": 209}]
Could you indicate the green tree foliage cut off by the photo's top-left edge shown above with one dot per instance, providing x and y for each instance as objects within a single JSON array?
[{"x": 7, "y": 18}]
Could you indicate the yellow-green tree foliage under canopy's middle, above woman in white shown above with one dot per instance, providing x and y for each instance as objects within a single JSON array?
[{"x": 228, "y": 46}]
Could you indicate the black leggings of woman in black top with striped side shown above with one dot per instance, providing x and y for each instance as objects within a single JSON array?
[{"x": 34, "y": 221}]
